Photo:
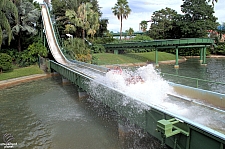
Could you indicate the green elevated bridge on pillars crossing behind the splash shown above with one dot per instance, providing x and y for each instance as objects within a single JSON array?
[{"x": 176, "y": 44}]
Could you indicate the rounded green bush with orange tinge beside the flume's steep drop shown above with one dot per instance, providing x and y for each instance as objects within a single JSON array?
[{"x": 77, "y": 49}]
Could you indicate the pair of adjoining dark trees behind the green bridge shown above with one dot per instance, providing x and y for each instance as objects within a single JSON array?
[{"x": 197, "y": 19}]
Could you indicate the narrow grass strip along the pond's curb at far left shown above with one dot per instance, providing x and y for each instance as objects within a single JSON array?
[{"x": 20, "y": 72}]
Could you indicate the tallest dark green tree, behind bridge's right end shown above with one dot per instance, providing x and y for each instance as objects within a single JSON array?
[{"x": 197, "y": 19}]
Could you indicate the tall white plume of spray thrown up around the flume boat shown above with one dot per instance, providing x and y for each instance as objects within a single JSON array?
[{"x": 146, "y": 85}]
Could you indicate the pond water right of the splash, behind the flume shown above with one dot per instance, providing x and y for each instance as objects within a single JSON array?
[{"x": 214, "y": 71}]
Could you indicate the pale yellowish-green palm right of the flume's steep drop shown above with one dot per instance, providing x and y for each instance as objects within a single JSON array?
[{"x": 85, "y": 18}]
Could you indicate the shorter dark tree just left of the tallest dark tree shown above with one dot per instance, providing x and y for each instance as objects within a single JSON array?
[{"x": 162, "y": 23}]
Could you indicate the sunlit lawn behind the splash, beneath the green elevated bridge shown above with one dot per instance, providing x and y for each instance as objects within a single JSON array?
[{"x": 109, "y": 58}]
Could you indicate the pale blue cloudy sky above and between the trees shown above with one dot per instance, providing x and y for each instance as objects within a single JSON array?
[{"x": 143, "y": 10}]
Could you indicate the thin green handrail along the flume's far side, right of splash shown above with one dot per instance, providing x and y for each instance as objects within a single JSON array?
[{"x": 196, "y": 79}]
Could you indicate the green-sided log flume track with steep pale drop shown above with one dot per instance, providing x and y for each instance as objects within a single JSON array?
[{"x": 172, "y": 129}]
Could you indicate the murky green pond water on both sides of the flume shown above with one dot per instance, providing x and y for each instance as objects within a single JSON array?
[{"x": 46, "y": 114}]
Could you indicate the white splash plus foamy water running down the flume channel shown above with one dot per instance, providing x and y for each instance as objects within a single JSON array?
[{"x": 153, "y": 91}]
